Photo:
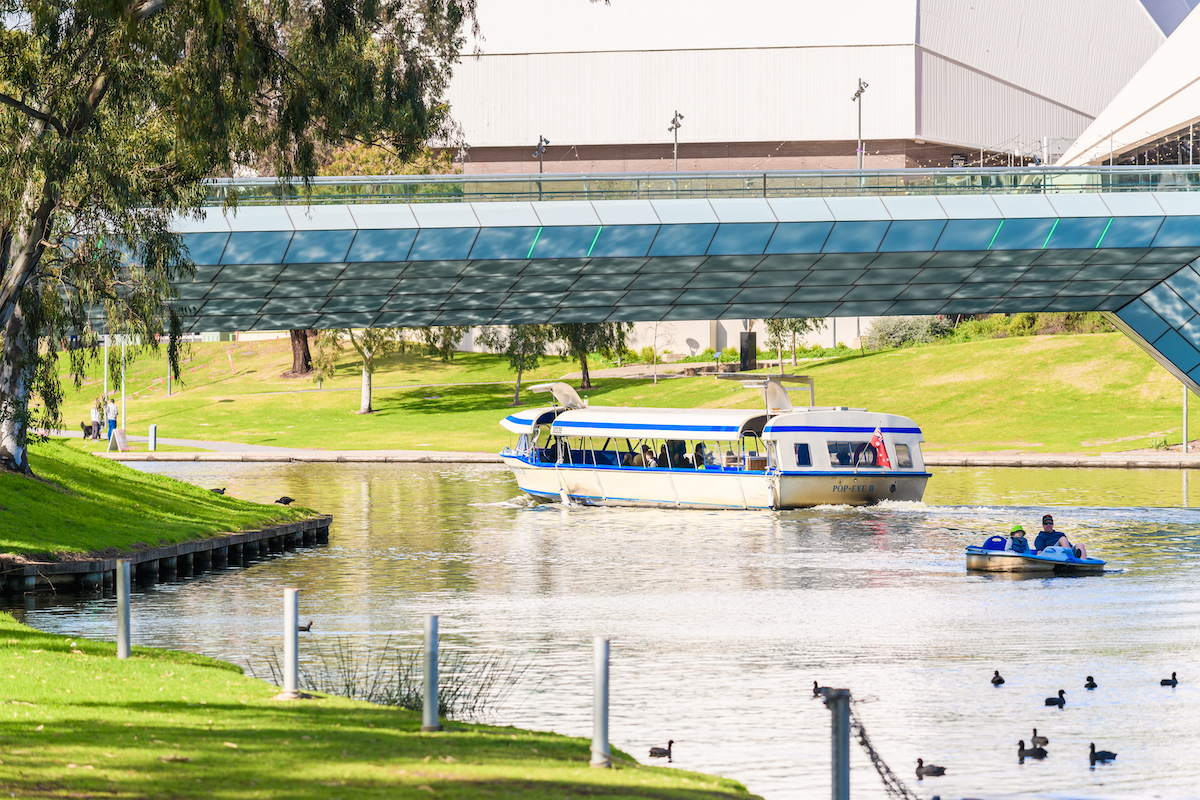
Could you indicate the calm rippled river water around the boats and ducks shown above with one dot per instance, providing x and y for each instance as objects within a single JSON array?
[{"x": 721, "y": 622}]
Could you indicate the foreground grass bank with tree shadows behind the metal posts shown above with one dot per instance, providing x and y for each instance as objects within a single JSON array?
[{"x": 79, "y": 723}]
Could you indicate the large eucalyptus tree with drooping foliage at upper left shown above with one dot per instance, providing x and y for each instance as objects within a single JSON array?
[{"x": 115, "y": 112}]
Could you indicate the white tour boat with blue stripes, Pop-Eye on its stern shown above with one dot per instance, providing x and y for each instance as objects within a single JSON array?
[{"x": 784, "y": 458}]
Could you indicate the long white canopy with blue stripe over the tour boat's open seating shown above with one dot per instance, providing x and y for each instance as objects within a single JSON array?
[{"x": 705, "y": 424}]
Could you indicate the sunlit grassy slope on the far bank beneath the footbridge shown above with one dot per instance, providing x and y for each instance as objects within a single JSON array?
[{"x": 1096, "y": 393}]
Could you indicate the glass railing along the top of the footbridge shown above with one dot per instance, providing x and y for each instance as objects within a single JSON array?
[{"x": 655, "y": 187}]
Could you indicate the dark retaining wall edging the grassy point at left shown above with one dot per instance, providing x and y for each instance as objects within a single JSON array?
[{"x": 26, "y": 575}]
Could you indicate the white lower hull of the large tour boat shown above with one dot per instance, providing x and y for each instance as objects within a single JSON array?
[{"x": 710, "y": 489}]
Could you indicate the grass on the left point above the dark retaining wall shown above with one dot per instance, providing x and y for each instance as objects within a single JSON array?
[{"x": 79, "y": 503}]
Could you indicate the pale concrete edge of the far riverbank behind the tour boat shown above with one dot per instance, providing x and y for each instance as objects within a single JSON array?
[{"x": 1070, "y": 461}]
